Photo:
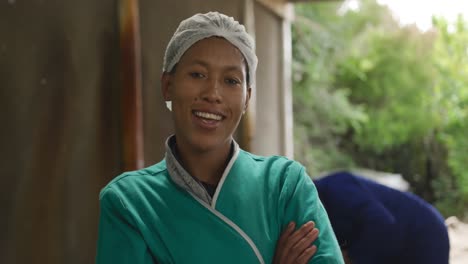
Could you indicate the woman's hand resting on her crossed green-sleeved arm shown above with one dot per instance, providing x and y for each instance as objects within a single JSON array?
[{"x": 296, "y": 246}]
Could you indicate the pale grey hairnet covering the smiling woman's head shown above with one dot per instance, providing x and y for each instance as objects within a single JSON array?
[{"x": 201, "y": 26}]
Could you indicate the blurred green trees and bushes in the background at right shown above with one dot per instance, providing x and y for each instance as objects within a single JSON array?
[{"x": 371, "y": 93}]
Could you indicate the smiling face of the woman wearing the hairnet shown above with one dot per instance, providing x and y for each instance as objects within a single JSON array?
[{"x": 209, "y": 93}]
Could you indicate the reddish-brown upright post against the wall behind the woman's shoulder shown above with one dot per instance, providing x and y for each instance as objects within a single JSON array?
[{"x": 130, "y": 65}]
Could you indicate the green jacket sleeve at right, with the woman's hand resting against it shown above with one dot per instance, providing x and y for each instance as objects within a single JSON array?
[{"x": 301, "y": 203}]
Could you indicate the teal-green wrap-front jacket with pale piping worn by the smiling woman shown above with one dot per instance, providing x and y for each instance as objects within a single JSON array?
[{"x": 160, "y": 214}]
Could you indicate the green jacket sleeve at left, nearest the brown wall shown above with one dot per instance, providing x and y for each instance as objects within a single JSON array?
[{"x": 118, "y": 240}]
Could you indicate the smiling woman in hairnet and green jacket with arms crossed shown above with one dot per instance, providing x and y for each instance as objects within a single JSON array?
[{"x": 209, "y": 201}]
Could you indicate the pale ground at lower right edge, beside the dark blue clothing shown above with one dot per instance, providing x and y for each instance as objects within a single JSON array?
[{"x": 458, "y": 233}]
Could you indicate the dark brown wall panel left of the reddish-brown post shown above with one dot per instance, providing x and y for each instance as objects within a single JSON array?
[{"x": 59, "y": 87}]
